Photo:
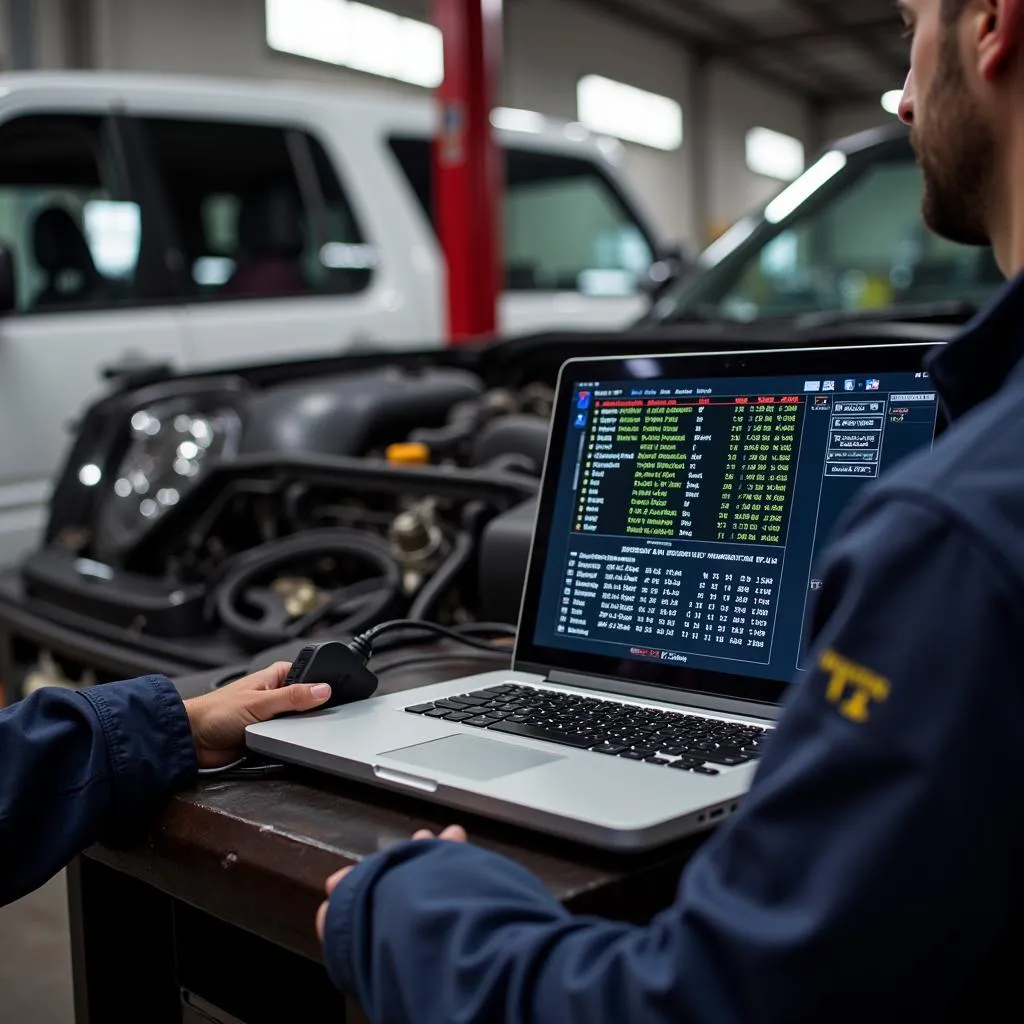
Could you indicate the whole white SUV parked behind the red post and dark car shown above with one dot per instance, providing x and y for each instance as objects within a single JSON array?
[{"x": 152, "y": 220}]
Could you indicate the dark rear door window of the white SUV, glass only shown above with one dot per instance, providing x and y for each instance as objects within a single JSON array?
[{"x": 259, "y": 211}]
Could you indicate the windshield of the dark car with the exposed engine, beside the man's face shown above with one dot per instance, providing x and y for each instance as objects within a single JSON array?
[{"x": 856, "y": 243}]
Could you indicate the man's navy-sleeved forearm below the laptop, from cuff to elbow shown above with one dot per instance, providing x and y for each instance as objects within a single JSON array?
[{"x": 441, "y": 932}]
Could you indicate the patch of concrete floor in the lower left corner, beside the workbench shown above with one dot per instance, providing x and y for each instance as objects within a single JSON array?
[{"x": 35, "y": 959}]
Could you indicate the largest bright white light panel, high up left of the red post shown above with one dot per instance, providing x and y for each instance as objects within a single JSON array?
[{"x": 358, "y": 36}]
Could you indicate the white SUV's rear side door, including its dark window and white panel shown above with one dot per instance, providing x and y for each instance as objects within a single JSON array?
[{"x": 279, "y": 266}]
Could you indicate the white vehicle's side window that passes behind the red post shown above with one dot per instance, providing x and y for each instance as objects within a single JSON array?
[{"x": 566, "y": 228}]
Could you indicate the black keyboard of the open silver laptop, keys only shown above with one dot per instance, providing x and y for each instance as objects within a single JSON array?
[{"x": 673, "y": 740}]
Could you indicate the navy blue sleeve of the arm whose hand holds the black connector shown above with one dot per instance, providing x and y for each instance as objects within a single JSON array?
[{"x": 73, "y": 764}]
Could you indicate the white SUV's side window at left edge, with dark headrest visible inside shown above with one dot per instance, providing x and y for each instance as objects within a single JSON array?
[{"x": 75, "y": 239}]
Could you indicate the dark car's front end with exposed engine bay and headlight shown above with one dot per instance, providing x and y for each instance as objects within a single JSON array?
[{"x": 203, "y": 519}]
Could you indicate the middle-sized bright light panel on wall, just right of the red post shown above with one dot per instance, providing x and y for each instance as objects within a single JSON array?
[{"x": 611, "y": 108}]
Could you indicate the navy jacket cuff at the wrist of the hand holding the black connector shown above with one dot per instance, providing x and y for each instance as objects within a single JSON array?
[{"x": 149, "y": 740}]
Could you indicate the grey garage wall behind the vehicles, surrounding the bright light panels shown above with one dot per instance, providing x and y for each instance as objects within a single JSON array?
[{"x": 544, "y": 61}]
